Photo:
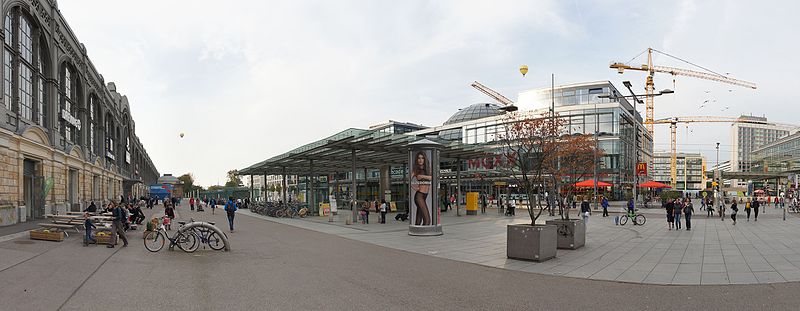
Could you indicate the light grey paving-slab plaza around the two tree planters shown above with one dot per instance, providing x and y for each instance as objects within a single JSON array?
[{"x": 714, "y": 252}]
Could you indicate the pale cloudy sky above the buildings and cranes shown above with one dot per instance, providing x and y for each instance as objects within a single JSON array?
[{"x": 248, "y": 80}]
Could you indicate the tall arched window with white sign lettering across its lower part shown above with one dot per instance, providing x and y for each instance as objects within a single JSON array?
[{"x": 70, "y": 124}]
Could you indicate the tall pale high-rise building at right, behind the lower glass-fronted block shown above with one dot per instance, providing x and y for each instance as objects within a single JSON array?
[{"x": 747, "y": 137}]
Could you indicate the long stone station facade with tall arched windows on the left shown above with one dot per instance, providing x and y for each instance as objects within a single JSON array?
[{"x": 66, "y": 136}]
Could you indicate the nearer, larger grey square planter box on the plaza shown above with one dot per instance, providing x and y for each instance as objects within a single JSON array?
[{"x": 535, "y": 243}]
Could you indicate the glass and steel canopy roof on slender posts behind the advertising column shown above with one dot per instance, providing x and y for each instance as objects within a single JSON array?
[{"x": 373, "y": 149}]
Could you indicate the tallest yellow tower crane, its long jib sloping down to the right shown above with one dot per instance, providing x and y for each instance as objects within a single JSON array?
[{"x": 652, "y": 69}]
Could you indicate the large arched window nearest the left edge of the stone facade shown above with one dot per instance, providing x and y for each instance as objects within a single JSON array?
[{"x": 23, "y": 68}]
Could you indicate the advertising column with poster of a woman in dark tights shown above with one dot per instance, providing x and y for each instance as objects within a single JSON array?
[{"x": 423, "y": 188}]
